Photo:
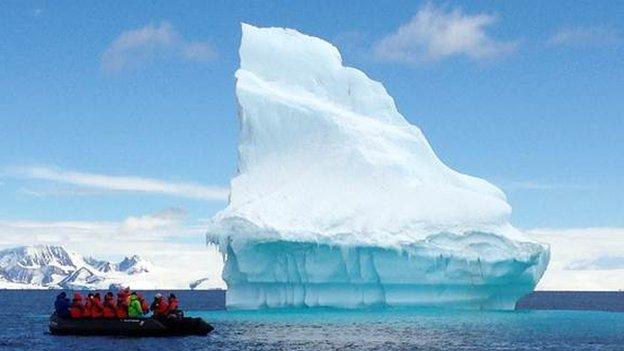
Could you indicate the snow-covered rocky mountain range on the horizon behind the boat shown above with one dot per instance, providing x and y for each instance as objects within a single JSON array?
[{"x": 54, "y": 267}]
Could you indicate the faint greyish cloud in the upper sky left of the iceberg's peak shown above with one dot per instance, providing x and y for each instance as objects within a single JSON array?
[{"x": 135, "y": 46}]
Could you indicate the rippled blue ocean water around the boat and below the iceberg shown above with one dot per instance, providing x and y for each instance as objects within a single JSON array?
[{"x": 25, "y": 317}]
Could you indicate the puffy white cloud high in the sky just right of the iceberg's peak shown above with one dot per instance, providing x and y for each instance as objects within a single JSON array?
[{"x": 434, "y": 33}]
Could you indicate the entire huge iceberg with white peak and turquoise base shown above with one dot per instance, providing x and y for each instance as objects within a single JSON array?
[{"x": 340, "y": 202}]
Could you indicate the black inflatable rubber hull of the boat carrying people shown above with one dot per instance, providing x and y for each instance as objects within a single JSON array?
[{"x": 129, "y": 326}]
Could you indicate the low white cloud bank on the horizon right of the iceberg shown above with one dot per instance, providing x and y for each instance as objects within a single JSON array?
[{"x": 583, "y": 258}]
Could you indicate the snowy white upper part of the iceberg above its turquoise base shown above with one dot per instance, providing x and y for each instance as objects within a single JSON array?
[{"x": 324, "y": 153}]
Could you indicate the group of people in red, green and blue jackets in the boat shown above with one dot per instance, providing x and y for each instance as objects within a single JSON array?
[{"x": 126, "y": 304}]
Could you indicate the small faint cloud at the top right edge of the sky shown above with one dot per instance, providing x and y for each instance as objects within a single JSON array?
[{"x": 585, "y": 36}]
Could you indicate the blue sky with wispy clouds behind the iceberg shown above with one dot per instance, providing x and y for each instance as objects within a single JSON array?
[{"x": 89, "y": 94}]
